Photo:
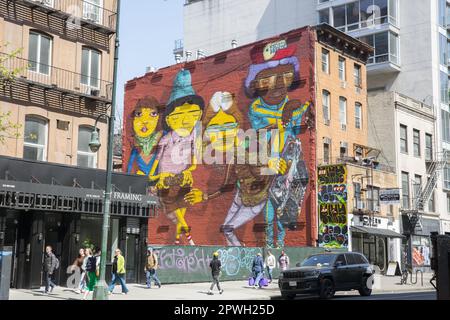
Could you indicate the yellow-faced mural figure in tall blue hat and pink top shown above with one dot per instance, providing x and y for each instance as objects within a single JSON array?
[{"x": 176, "y": 158}]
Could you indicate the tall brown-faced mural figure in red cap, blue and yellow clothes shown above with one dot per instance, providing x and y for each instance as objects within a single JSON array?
[{"x": 274, "y": 72}]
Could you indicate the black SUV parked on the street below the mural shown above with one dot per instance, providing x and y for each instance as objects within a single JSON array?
[{"x": 326, "y": 273}]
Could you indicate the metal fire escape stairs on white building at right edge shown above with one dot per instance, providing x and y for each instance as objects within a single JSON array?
[{"x": 434, "y": 169}]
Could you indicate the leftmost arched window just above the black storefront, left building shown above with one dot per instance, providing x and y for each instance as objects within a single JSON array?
[{"x": 35, "y": 139}]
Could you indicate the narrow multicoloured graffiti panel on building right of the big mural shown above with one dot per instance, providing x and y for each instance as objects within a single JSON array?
[{"x": 332, "y": 196}]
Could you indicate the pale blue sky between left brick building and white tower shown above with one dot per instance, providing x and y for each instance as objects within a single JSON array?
[{"x": 148, "y": 30}]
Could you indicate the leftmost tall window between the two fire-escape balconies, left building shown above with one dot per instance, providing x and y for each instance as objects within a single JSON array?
[{"x": 39, "y": 54}]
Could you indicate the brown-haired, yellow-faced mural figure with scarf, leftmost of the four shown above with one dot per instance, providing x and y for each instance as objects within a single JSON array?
[{"x": 146, "y": 133}]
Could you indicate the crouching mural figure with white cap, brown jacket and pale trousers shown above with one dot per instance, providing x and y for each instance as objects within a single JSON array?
[{"x": 222, "y": 121}]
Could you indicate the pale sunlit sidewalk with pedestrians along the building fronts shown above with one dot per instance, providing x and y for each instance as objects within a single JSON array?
[{"x": 236, "y": 290}]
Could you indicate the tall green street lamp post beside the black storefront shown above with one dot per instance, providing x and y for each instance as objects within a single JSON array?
[{"x": 101, "y": 289}]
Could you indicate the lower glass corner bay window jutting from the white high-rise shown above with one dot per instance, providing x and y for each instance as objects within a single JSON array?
[{"x": 385, "y": 45}]
